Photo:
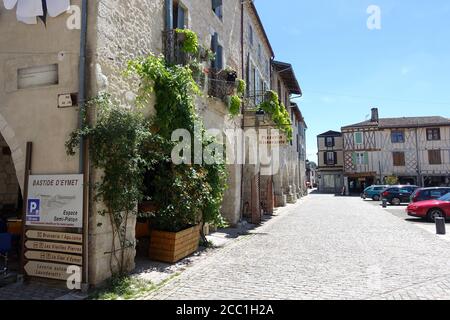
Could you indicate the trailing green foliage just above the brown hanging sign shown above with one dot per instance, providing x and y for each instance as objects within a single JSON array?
[{"x": 277, "y": 111}]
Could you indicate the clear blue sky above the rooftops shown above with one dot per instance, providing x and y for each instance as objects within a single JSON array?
[{"x": 345, "y": 69}]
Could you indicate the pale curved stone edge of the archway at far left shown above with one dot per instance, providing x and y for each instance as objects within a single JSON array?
[{"x": 17, "y": 155}]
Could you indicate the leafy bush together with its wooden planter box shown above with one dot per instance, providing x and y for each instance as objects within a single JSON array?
[{"x": 175, "y": 225}]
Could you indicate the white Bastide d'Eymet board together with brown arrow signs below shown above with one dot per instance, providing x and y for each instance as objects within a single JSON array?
[{"x": 54, "y": 223}]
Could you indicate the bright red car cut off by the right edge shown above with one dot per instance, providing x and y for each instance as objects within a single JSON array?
[{"x": 430, "y": 209}]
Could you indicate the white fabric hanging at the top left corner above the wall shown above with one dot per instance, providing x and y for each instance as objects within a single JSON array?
[{"x": 29, "y": 10}]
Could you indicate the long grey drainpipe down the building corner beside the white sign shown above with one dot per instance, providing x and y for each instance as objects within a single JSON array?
[{"x": 83, "y": 152}]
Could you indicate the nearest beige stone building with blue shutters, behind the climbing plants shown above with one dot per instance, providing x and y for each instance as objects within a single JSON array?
[{"x": 43, "y": 84}]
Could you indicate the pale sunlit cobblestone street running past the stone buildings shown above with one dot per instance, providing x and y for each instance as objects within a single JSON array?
[{"x": 324, "y": 247}]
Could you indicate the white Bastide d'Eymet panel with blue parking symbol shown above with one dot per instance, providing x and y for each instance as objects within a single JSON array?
[{"x": 55, "y": 201}]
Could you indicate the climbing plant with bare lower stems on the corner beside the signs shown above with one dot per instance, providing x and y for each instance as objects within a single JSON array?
[{"x": 116, "y": 142}]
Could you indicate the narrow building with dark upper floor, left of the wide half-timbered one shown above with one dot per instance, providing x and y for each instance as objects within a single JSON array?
[{"x": 330, "y": 162}]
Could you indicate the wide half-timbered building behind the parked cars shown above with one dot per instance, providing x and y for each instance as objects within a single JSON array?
[{"x": 415, "y": 150}]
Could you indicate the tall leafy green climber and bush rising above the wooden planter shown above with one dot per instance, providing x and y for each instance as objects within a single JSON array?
[{"x": 185, "y": 194}]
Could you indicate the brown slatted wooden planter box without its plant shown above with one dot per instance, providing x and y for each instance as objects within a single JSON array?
[{"x": 171, "y": 247}]
